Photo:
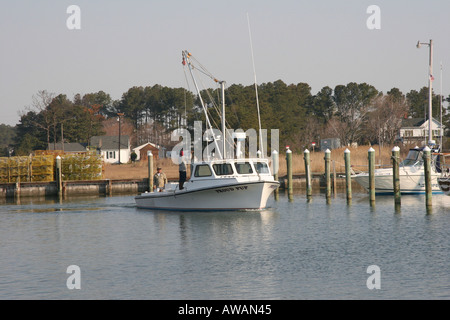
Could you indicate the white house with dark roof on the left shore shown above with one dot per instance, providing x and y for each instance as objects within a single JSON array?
[{"x": 108, "y": 147}]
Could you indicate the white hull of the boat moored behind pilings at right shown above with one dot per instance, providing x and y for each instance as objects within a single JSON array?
[{"x": 410, "y": 183}]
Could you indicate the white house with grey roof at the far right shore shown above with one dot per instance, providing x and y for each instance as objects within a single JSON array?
[{"x": 415, "y": 130}]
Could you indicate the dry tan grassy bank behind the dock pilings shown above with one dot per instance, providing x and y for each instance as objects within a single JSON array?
[{"x": 359, "y": 162}]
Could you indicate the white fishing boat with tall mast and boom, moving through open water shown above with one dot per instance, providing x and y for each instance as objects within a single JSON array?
[{"x": 222, "y": 183}]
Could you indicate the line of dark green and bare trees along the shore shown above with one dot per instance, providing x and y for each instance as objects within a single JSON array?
[{"x": 356, "y": 112}]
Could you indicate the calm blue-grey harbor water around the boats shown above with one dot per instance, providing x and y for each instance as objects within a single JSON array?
[{"x": 293, "y": 250}]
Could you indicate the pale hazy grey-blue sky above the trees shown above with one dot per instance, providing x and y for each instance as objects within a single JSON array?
[{"x": 138, "y": 43}]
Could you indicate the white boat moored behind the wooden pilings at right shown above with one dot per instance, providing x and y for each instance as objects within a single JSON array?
[{"x": 411, "y": 173}]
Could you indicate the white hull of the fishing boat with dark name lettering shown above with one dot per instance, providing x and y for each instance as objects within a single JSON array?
[{"x": 242, "y": 196}]
